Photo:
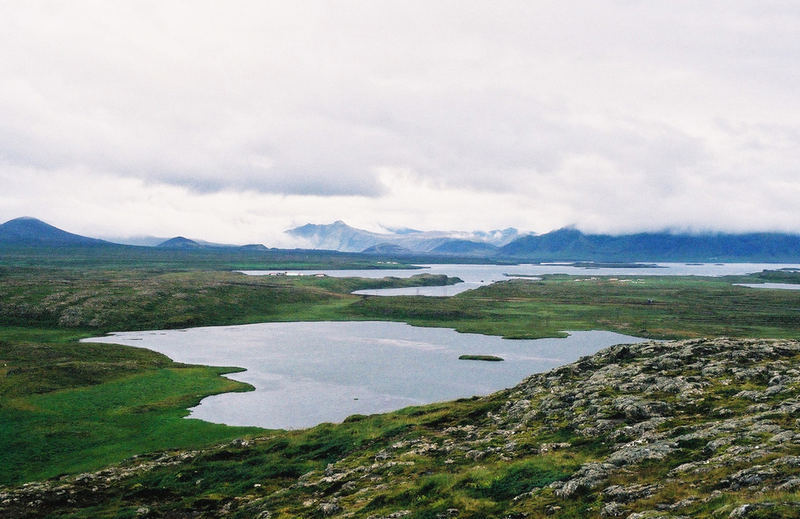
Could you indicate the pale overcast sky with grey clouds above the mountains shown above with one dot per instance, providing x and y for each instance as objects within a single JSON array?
[{"x": 233, "y": 121}]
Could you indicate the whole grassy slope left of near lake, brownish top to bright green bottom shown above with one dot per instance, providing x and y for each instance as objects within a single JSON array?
[{"x": 70, "y": 407}]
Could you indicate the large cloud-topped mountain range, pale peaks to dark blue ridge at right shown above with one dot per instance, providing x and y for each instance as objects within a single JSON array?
[{"x": 561, "y": 245}]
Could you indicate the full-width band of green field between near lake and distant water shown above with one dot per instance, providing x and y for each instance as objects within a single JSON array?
[{"x": 662, "y": 307}]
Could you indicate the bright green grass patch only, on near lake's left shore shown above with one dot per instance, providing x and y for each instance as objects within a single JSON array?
[{"x": 85, "y": 427}]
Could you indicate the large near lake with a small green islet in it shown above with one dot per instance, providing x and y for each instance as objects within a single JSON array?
[{"x": 306, "y": 373}]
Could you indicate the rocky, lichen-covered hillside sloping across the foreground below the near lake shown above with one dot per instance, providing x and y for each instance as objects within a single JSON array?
[{"x": 695, "y": 428}]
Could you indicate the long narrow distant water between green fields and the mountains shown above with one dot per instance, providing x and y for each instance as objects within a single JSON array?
[{"x": 475, "y": 276}]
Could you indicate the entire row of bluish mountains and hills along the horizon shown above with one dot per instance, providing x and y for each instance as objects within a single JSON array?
[{"x": 506, "y": 245}]
